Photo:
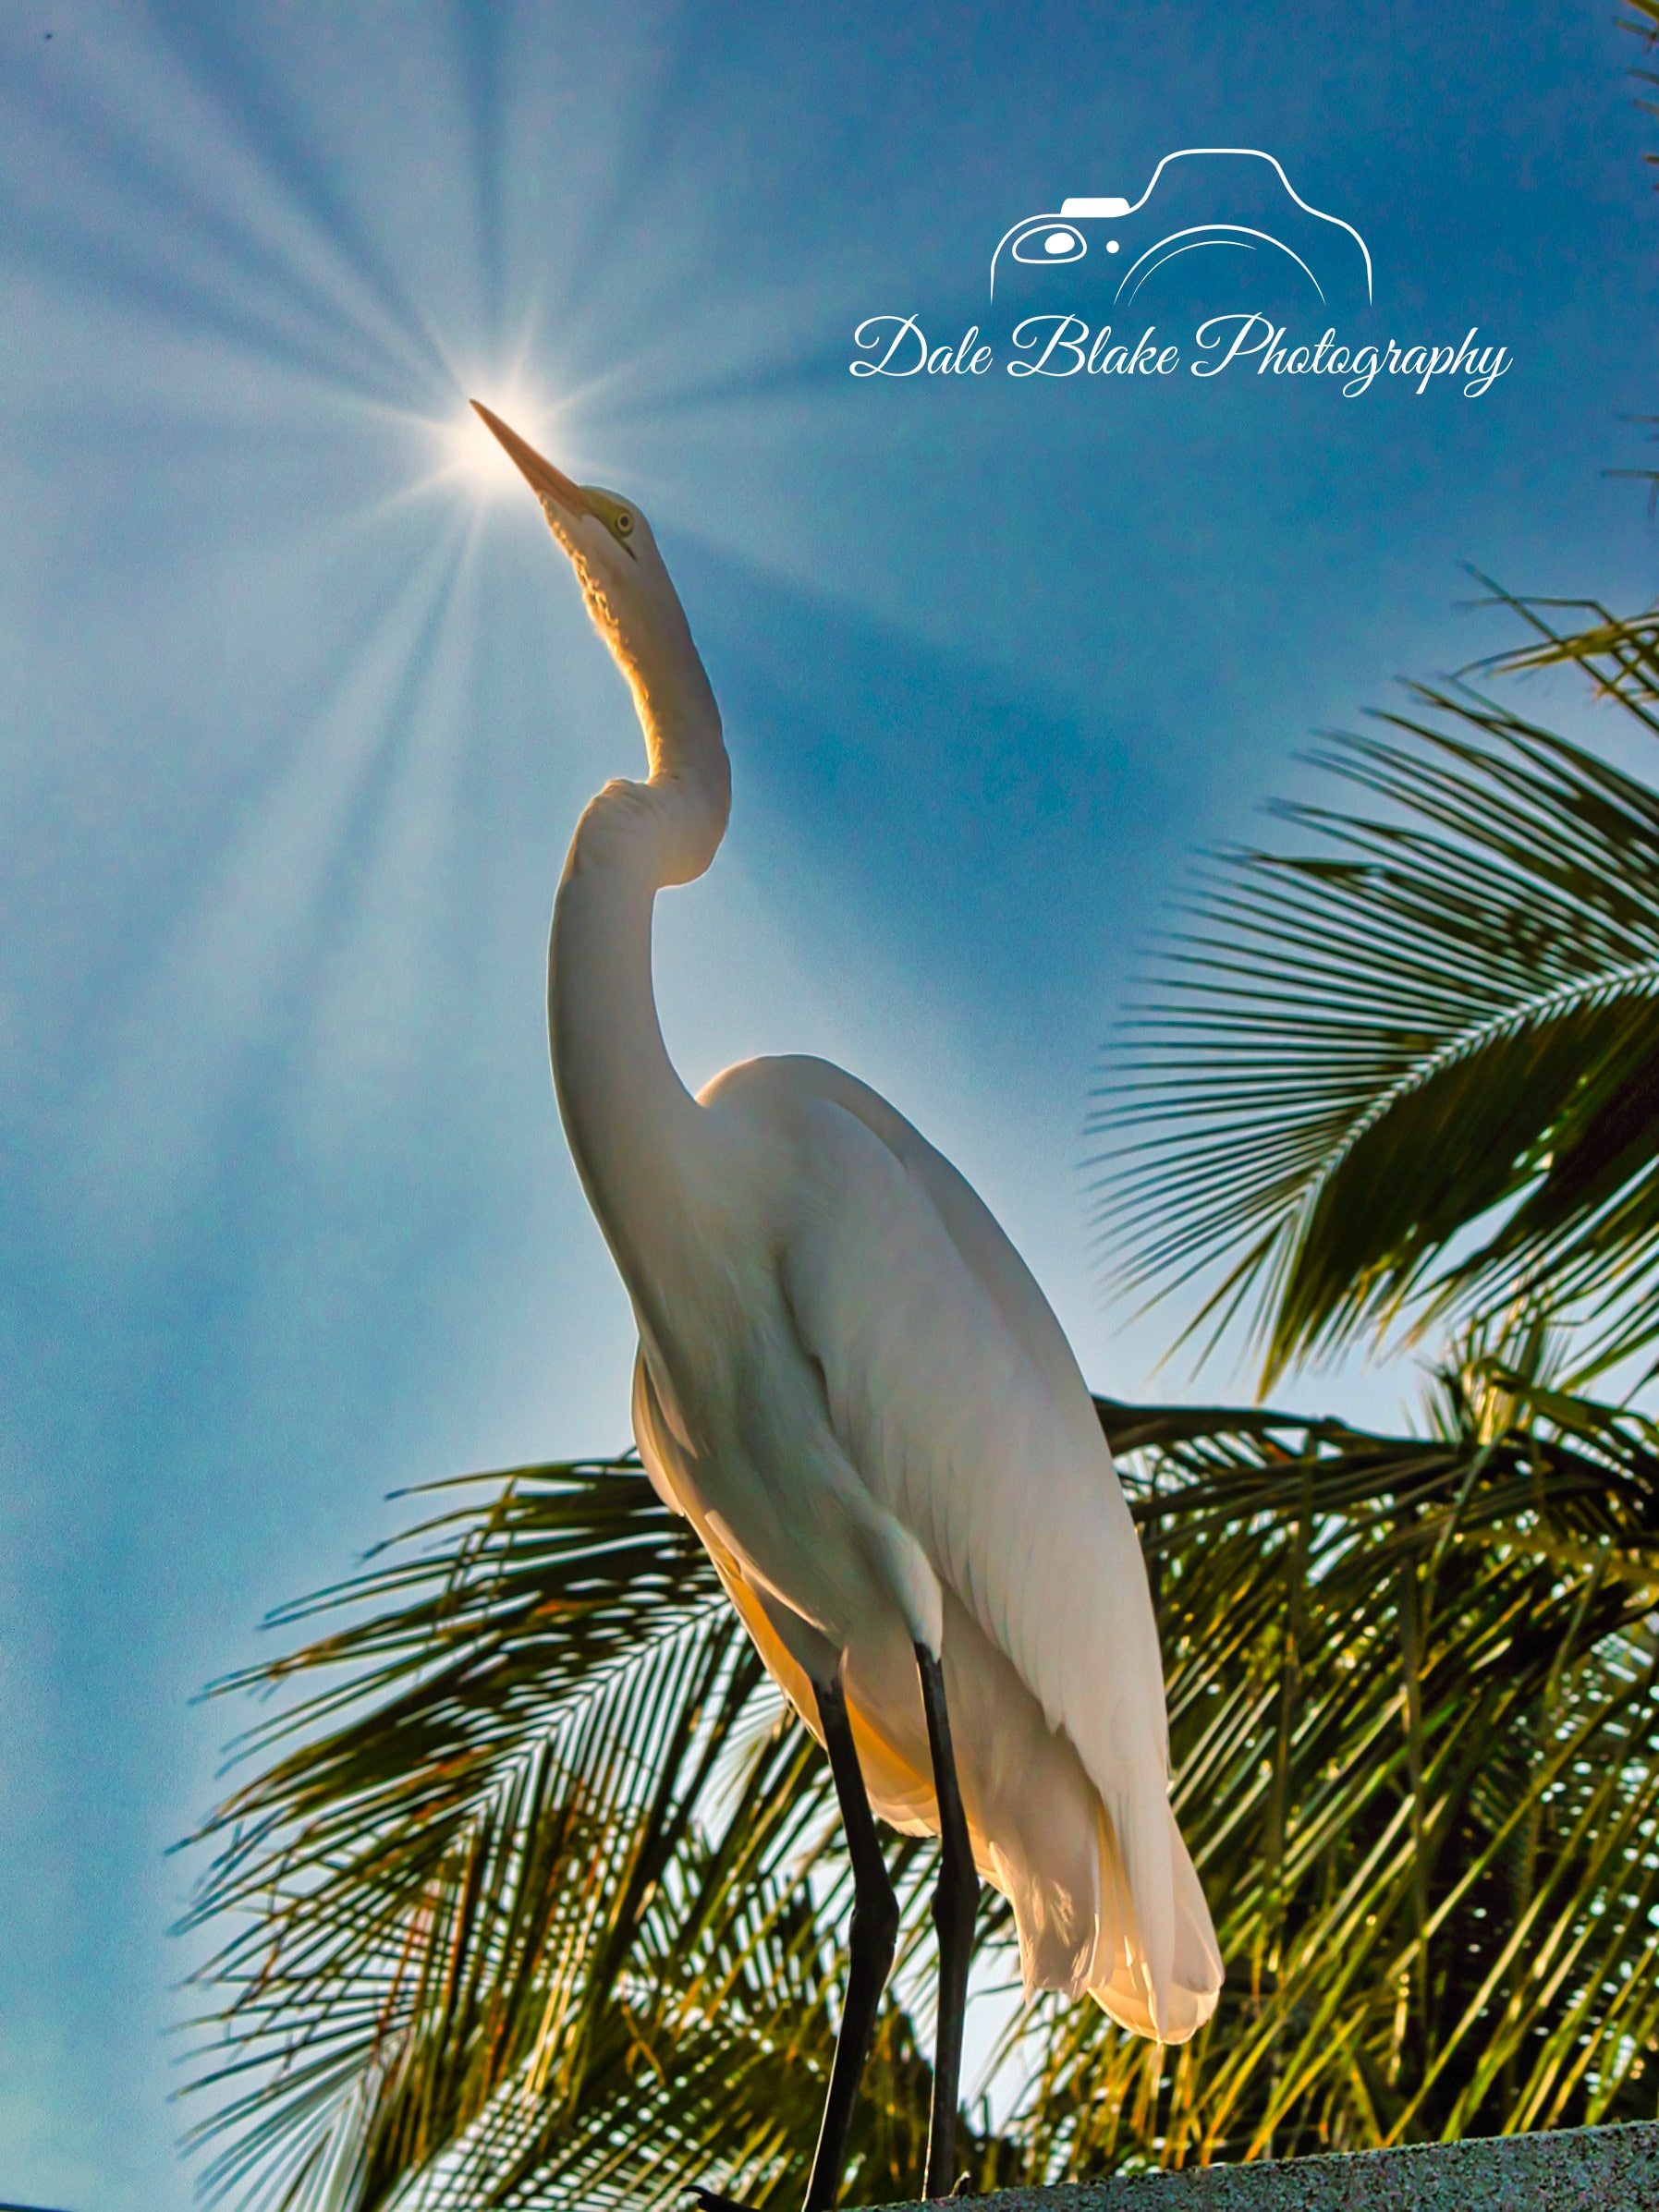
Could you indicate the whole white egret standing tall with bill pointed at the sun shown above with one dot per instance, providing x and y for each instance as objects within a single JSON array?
[{"x": 859, "y": 1397}]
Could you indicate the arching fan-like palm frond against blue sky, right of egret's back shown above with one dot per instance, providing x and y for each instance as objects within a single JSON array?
[{"x": 1446, "y": 1016}]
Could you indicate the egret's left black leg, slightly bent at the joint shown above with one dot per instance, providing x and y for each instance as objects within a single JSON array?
[{"x": 875, "y": 1926}]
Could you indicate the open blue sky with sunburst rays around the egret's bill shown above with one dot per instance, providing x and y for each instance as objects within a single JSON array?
[{"x": 300, "y": 711}]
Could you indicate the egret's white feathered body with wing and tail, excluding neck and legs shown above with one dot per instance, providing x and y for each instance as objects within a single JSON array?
[{"x": 881, "y": 1434}]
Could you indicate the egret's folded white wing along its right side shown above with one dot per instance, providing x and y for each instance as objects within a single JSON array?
[{"x": 957, "y": 1399}]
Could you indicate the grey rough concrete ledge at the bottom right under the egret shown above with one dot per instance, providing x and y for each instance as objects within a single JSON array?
[{"x": 1563, "y": 2171}]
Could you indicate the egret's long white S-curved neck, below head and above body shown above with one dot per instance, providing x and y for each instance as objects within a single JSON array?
[{"x": 636, "y": 1131}]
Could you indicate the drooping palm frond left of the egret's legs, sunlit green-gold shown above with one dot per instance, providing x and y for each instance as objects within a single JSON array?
[{"x": 541, "y": 1830}]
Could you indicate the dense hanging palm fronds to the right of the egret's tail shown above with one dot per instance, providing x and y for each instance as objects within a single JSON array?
[{"x": 1415, "y": 1715}]
